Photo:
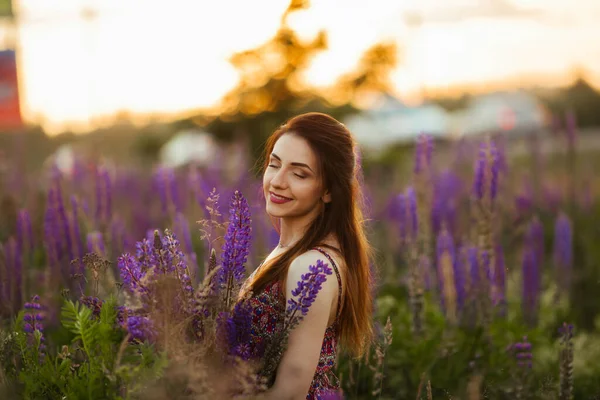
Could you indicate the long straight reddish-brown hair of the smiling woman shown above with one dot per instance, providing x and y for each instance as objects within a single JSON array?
[{"x": 343, "y": 216}]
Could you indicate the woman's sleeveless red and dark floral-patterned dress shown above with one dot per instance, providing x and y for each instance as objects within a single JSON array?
[{"x": 267, "y": 313}]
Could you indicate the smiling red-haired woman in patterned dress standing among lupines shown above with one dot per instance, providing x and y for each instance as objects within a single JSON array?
[{"x": 313, "y": 196}]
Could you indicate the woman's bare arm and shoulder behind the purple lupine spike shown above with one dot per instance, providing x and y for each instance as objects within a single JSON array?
[{"x": 299, "y": 362}]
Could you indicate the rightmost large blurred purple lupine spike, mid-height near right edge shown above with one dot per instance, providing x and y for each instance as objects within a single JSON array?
[{"x": 563, "y": 250}]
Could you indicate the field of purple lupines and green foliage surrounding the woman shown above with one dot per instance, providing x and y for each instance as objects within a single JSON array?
[{"x": 117, "y": 282}]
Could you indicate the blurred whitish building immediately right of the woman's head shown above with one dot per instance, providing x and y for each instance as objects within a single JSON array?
[{"x": 391, "y": 121}]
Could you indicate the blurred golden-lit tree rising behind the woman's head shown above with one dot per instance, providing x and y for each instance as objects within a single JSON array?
[{"x": 270, "y": 88}]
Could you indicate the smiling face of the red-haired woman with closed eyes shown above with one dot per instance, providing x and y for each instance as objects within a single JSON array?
[{"x": 292, "y": 182}]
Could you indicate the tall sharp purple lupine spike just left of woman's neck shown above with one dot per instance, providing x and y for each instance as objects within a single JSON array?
[{"x": 237, "y": 241}]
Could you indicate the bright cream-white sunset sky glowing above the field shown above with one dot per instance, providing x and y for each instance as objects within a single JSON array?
[{"x": 147, "y": 56}]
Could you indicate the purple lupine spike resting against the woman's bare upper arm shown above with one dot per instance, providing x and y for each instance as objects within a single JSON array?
[{"x": 306, "y": 292}]
